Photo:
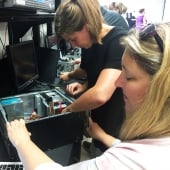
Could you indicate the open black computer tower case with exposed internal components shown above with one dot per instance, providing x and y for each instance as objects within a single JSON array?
[{"x": 49, "y": 127}]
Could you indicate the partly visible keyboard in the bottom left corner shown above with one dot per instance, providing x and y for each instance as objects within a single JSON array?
[{"x": 11, "y": 166}]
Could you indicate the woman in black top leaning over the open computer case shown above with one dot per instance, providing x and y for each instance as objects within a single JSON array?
[{"x": 82, "y": 24}]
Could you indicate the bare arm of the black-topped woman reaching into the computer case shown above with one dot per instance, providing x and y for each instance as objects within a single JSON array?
[{"x": 99, "y": 94}]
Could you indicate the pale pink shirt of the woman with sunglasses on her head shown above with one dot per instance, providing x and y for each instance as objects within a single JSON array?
[{"x": 153, "y": 154}]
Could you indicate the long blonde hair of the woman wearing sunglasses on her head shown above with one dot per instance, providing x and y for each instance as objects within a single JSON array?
[{"x": 152, "y": 118}]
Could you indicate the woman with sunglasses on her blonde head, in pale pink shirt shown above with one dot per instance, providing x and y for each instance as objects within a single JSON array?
[{"x": 145, "y": 134}]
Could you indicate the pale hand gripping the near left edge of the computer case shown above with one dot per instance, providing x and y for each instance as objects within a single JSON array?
[{"x": 17, "y": 132}]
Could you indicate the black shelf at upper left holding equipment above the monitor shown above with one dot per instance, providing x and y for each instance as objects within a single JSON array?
[{"x": 19, "y": 23}]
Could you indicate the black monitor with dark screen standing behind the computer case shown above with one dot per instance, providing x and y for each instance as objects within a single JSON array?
[{"x": 23, "y": 64}]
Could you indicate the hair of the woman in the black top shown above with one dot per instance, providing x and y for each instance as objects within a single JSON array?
[{"x": 72, "y": 15}]
